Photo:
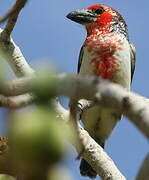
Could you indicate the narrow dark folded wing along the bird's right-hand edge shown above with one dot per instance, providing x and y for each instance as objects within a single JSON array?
[{"x": 133, "y": 59}]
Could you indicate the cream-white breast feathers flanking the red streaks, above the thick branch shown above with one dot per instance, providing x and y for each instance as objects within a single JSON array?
[{"x": 121, "y": 55}]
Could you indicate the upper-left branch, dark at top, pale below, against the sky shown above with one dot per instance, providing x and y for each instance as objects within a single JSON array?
[{"x": 8, "y": 49}]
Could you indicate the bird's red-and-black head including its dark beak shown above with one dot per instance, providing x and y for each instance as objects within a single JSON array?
[{"x": 100, "y": 17}]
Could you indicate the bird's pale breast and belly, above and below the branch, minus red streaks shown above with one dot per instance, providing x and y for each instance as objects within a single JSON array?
[{"x": 97, "y": 120}]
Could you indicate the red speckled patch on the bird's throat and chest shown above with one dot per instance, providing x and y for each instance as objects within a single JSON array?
[{"x": 103, "y": 47}]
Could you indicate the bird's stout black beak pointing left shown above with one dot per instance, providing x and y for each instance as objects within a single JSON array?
[{"x": 82, "y": 16}]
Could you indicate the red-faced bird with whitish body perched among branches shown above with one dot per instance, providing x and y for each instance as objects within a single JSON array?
[{"x": 106, "y": 53}]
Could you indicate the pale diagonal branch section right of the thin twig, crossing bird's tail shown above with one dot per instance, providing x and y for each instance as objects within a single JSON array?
[{"x": 98, "y": 159}]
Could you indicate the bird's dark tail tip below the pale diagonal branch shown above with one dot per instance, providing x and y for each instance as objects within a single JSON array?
[{"x": 87, "y": 170}]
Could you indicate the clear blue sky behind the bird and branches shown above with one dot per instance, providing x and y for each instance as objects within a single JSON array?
[{"x": 45, "y": 35}]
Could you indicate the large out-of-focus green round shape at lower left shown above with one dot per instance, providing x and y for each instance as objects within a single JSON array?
[{"x": 37, "y": 139}]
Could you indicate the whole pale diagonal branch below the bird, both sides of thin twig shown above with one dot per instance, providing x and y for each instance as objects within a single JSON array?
[{"x": 92, "y": 152}]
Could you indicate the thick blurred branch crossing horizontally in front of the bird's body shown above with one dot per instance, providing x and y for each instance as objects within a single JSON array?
[{"x": 107, "y": 94}]
